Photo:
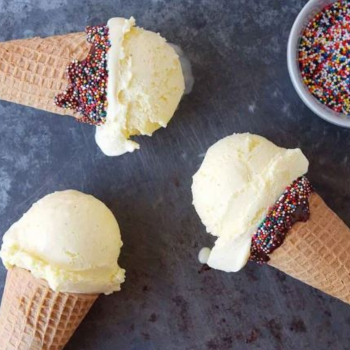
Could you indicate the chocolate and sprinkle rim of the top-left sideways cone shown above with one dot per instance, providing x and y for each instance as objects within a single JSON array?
[{"x": 87, "y": 89}]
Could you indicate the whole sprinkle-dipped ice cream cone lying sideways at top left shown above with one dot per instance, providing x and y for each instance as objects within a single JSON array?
[{"x": 98, "y": 73}]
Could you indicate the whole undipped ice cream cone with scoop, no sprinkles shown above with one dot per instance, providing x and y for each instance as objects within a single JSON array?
[{"x": 61, "y": 255}]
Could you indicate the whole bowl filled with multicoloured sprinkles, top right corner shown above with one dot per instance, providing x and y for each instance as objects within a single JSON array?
[{"x": 319, "y": 59}]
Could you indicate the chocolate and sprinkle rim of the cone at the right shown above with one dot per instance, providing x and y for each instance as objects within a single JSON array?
[{"x": 291, "y": 207}]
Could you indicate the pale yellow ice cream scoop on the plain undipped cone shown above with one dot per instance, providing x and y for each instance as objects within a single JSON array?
[{"x": 70, "y": 239}]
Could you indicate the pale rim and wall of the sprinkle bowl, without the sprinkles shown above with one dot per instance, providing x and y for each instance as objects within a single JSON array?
[{"x": 306, "y": 14}]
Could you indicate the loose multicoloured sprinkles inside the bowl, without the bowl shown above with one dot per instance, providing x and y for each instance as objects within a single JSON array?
[{"x": 324, "y": 56}]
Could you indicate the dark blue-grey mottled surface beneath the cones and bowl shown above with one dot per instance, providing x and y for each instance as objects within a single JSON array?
[{"x": 238, "y": 52}]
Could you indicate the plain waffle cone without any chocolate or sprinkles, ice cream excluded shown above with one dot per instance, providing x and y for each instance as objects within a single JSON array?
[{"x": 33, "y": 317}]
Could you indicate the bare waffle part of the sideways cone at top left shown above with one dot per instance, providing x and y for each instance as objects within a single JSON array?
[{"x": 33, "y": 71}]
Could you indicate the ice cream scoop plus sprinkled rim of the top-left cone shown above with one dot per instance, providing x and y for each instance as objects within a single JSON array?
[{"x": 130, "y": 83}]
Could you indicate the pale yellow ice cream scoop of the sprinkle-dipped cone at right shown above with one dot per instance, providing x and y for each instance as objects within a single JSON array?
[{"x": 241, "y": 177}]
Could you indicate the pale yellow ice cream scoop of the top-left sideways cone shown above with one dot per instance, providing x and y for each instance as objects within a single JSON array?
[{"x": 145, "y": 85}]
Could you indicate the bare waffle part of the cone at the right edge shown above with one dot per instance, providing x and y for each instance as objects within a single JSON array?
[{"x": 317, "y": 252}]
